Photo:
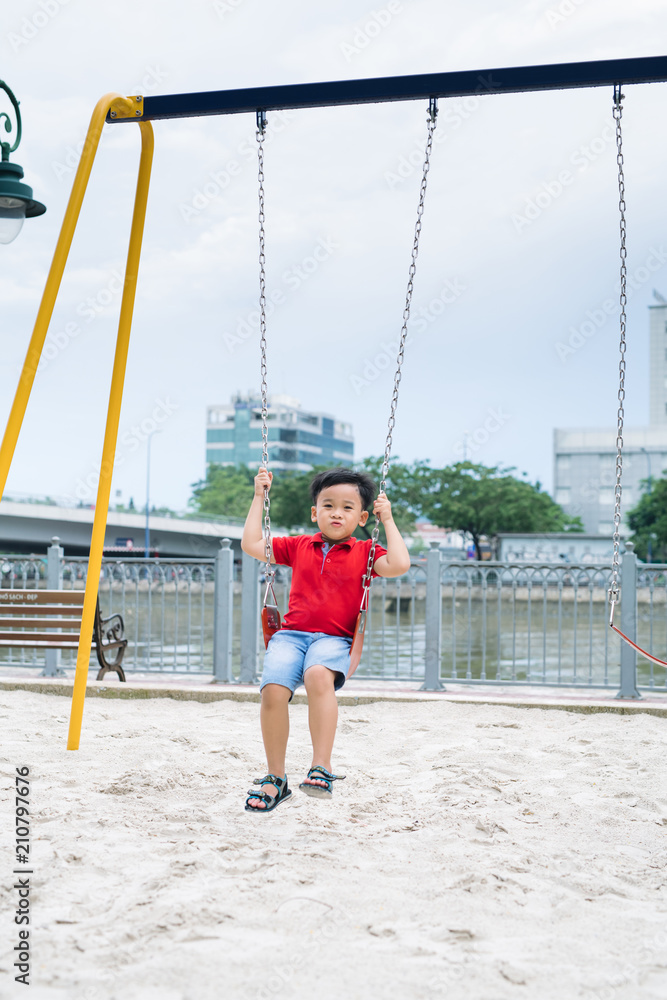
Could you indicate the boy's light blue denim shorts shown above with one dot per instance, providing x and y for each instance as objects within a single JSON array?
[{"x": 290, "y": 653}]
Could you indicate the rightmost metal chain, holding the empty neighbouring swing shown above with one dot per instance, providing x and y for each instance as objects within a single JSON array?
[{"x": 614, "y": 591}]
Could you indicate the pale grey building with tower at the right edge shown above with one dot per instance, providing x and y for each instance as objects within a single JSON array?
[{"x": 585, "y": 458}]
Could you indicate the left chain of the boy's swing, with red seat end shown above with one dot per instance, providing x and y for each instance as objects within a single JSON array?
[{"x": 270, "y": 614}]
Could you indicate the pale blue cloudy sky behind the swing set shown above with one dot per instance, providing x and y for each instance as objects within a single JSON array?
[{"x": 511, "y": 335}]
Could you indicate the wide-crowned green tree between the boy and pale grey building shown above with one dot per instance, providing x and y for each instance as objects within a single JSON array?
[{"x": 484, "y": 500}]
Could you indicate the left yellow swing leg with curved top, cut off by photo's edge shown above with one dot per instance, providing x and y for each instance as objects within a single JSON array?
[{"x": 54, "y": 278}]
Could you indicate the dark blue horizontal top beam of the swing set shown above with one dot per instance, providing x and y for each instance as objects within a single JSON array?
[{"x": 512, "y": 80}]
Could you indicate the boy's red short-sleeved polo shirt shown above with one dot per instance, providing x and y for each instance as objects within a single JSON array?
[{"x": 326, "y": 587}]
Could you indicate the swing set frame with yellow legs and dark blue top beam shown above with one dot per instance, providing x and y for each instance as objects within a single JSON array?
[{"x": 114, "y": 108}]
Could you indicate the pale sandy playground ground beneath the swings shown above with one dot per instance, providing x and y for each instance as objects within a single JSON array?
[{"x": 474, "y": 851}]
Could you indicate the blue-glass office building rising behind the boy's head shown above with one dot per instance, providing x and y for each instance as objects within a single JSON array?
[{"x": 297, "y": 440}]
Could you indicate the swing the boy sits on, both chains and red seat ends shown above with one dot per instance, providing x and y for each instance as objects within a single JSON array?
[{"x": 271, "y": 620}]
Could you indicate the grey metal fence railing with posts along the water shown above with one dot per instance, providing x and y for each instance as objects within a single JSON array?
[{"x": 443, "y": 621}]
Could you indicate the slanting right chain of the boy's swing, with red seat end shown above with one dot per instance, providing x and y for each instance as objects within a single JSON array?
[{"x": 358, "y": 640}]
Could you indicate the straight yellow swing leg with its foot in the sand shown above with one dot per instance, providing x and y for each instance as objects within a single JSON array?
[{"x": 110, "y": 437}]
